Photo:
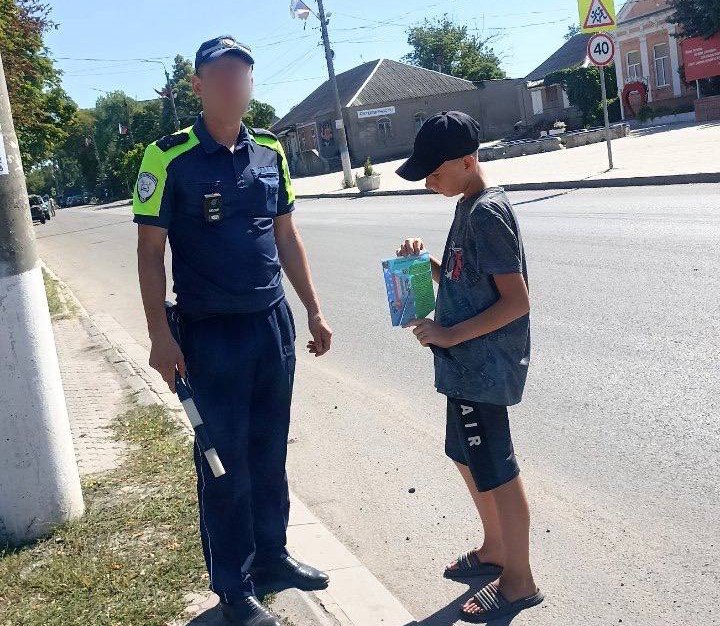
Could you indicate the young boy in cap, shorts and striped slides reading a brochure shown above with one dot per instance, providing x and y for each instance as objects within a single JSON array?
[{"x": 481, "y": 341}]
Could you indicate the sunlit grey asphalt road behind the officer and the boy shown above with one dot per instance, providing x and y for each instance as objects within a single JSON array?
[{"x": 618, "y": 435}]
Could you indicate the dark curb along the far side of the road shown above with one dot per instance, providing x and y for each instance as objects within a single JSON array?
[{"x": 599, "y": 183}]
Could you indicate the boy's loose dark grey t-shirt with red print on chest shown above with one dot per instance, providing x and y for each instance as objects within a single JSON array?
[{"x": 484, "y": 240}]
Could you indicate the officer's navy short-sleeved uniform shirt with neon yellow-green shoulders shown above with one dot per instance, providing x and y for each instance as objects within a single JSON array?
[{"x": 232, "y": 265}]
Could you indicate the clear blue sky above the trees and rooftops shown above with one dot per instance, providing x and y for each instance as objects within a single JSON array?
[{"x": 289, "y": 57}]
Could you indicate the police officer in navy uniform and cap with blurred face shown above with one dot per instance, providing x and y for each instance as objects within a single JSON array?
[{"x": 221, "y": 194}]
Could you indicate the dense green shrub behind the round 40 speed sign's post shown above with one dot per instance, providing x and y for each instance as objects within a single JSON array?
[{"x": 582, "y": 85}]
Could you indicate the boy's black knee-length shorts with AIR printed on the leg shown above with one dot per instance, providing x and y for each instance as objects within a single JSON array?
[{"x": 478, "y": 435}]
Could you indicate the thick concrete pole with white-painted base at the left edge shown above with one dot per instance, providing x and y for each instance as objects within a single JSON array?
[{"x": 39, "y": 481}]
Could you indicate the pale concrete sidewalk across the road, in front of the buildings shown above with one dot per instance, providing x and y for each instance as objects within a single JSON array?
[{"x": 660, "y": 155}]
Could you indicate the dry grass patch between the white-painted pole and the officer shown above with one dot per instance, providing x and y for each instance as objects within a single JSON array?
[{"x": 135, "y": 553}]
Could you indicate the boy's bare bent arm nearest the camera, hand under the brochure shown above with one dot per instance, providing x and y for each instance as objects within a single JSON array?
[{"x": 514, "y": 302}]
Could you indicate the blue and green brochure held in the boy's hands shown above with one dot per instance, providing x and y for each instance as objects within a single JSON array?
[{"x": 408, "y": 281}]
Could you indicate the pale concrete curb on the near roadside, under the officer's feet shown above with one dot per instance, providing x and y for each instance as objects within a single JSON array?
[{"x": 355, "y": 596}]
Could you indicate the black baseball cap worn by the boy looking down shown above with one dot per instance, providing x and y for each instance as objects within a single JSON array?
[{"x": 446, "y": 136}]
